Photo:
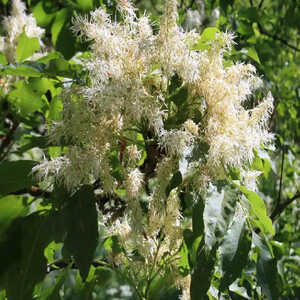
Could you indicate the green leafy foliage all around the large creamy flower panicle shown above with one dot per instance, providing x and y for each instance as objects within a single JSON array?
[{"x": 49, "y": 240}]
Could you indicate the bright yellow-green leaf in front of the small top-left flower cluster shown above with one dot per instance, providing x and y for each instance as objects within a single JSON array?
[{"x": 26, "y": 47}]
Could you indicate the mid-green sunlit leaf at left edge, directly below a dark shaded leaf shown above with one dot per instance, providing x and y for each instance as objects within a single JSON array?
[{"x": 11, "y": 207}]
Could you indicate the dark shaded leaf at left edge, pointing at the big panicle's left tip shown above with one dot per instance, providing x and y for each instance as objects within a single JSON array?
[{"x": 16, "y": 175}]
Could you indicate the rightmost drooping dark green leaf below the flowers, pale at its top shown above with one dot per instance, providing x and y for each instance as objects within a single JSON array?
[{"x": 266, "y": 269}]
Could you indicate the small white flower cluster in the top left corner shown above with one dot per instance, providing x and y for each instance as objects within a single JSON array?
[{"x": 14, "y": 25}]
